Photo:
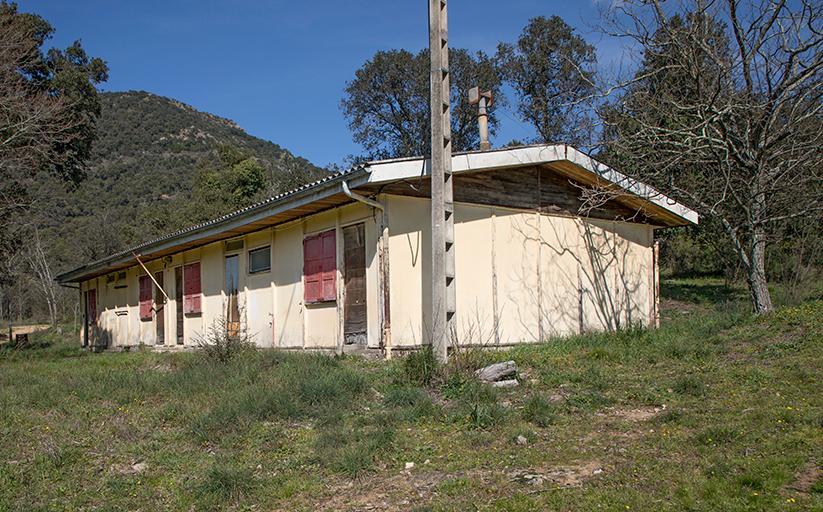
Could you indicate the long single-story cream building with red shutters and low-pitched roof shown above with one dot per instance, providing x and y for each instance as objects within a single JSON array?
[{"x": 345, "y": 260}]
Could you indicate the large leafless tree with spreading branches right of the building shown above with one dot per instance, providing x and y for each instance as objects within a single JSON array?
[{"x": 725, "y": 114}]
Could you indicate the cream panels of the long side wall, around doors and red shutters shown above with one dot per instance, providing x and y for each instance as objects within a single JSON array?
[{"x": 271, "y": 302}]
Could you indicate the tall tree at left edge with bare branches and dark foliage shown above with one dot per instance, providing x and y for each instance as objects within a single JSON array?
[{"x": 48, "y": 111}]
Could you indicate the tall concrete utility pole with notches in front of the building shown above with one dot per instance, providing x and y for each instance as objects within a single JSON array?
[{"x": 443, "y": 299}]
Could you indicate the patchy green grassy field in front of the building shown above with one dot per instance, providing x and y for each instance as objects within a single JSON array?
[{"x": 716, "y": 410}]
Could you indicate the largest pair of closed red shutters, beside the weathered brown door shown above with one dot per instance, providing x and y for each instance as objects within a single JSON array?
[{"x": 320, "y": 267}]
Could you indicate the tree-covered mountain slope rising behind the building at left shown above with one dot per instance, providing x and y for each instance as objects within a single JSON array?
[{"x": 159, "y": 165}]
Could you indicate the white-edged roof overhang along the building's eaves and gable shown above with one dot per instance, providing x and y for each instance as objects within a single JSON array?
[{"x": 328, "y": 193}]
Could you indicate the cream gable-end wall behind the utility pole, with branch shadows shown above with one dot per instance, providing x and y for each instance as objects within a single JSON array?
[{"x": 544, "y": 275}]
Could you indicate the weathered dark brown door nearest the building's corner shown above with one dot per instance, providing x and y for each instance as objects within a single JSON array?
[{"x": 354, "y": 280}]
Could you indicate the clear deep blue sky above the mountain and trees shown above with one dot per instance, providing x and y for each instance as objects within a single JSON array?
[{"x": 279, "y": 68}]
